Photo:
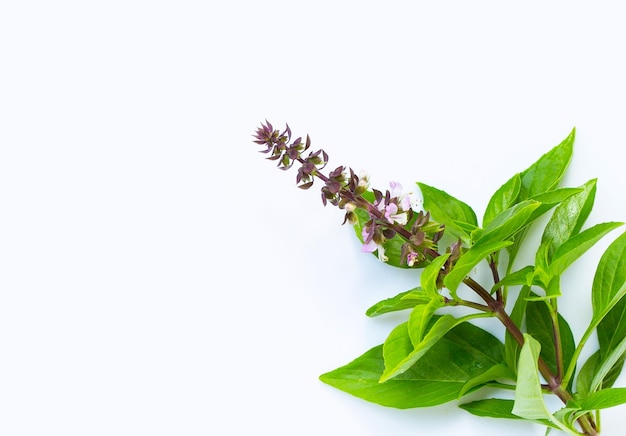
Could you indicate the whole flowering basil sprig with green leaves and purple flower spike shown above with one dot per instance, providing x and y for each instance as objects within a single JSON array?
[{"x": 442, "y": 238}]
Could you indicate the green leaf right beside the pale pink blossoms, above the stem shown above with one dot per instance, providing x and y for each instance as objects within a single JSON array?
[{"x": 447, "y": 210}]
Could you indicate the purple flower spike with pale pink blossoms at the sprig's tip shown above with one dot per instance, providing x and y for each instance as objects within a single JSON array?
[{"x": 386, "y": 215}]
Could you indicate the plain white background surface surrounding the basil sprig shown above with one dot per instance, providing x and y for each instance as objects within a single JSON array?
[{"x": 158, "y": 276}]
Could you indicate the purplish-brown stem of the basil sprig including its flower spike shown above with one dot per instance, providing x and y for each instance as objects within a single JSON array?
[{"x": 341, "y": 191}]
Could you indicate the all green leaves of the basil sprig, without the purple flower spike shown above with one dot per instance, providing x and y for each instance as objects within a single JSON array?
[{"x": 413, "y": 368}]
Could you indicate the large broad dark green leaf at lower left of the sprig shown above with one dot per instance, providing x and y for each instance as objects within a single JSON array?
[{"x": 427, "y": 383}]
